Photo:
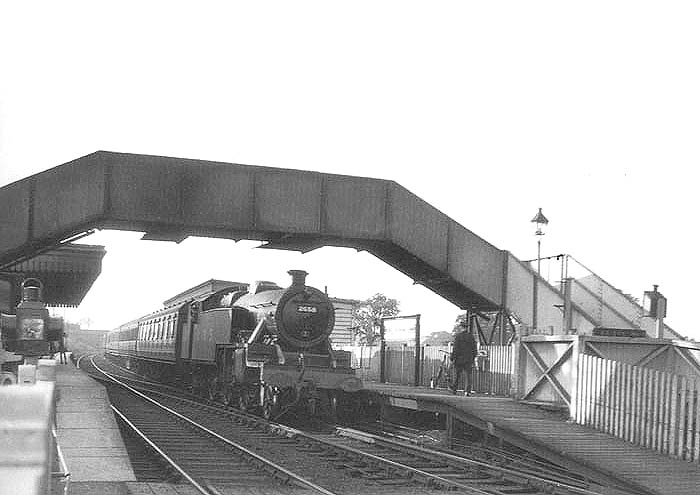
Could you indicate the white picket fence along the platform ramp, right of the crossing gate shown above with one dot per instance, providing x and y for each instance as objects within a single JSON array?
[{"x": 647, "y": 407}]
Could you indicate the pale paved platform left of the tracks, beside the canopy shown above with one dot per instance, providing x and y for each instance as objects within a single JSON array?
[{"x": 87, "y": 431}]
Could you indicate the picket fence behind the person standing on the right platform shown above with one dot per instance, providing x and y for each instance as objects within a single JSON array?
[{"x": 492, "y": 374}]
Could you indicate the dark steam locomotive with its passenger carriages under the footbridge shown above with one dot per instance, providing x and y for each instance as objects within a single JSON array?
[{"x": 261, "y": 348}]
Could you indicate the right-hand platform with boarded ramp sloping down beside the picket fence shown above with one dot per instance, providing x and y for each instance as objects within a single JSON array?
[{"x": 594, "y": 454}]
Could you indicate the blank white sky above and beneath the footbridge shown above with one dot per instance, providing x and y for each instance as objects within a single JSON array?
[{"x": 487, "y": 110}]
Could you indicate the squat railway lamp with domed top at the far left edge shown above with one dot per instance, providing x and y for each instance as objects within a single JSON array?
[{"x": 28, "y": 334}]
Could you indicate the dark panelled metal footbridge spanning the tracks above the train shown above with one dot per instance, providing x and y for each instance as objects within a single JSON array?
[{"x": 173, "y": 198}]
